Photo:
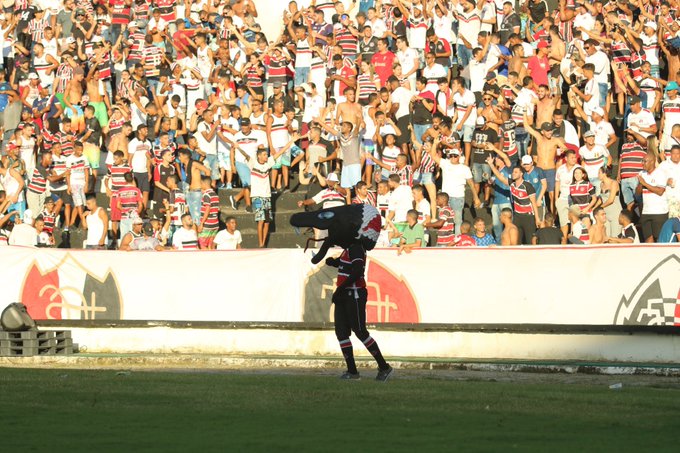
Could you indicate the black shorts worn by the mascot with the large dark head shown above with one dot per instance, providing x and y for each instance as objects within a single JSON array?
[{"x": 350, "y": 313}]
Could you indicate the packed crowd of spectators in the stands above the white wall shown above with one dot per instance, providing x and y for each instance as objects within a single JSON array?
[{"x": 558, "y": 124}]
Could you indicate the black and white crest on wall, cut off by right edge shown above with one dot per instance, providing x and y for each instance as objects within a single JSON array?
[{"x": 656, "y": 299}]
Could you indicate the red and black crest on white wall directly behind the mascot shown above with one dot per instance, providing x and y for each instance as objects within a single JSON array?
[{"x": 390, "y": 298}]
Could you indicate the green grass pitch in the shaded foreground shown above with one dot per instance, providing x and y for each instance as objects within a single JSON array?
[{"x": 66, "y": 410}]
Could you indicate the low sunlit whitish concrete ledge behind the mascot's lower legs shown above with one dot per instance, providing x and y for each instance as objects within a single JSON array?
[{"x": 627, "y": 347}]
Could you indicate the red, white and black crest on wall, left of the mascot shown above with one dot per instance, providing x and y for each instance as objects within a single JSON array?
[{"x": 70, "y": 291}]
